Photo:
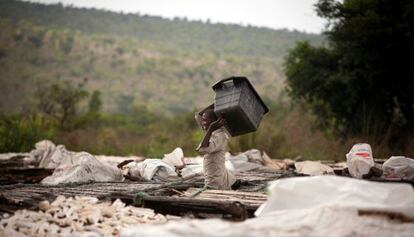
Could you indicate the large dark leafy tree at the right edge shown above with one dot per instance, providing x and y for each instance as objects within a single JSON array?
[{"x": 361, "y": 82}]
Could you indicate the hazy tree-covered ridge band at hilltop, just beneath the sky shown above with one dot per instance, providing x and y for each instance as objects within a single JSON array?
[{"x": 178, "y": 34}]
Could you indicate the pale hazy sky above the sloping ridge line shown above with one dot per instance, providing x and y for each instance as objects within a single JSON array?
[{"x": 291, "y": 14}]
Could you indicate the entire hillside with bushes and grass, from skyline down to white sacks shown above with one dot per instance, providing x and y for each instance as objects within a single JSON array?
[{"x": 133, "y": 82}]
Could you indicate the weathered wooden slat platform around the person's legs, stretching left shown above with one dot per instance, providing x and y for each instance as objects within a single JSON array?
[{"x": 15, "y": 196}]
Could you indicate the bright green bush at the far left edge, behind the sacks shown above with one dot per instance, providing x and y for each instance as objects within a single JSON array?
[{"x": 19, "y": 134}]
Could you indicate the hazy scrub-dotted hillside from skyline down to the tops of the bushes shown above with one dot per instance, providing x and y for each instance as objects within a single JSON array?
[{"x": 167, "y": 65}]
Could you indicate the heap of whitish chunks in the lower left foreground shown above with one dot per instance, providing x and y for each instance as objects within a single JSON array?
[{"x": 79, "y": 216}]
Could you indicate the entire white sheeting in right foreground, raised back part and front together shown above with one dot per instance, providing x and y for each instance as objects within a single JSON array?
[{"x": 308, "y": 206}]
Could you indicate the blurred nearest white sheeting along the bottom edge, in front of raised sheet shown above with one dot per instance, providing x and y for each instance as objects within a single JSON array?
[{"x": 323, "y": 221}]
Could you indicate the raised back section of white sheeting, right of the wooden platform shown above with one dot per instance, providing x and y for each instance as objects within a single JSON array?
[{"x": 311, "y": 192}]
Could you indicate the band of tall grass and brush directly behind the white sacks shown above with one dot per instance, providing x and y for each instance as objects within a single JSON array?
[{"x": 286, "y": 132}]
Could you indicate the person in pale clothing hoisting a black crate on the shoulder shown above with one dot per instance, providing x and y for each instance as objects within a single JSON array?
[{"x": 213, "y": 147}]
